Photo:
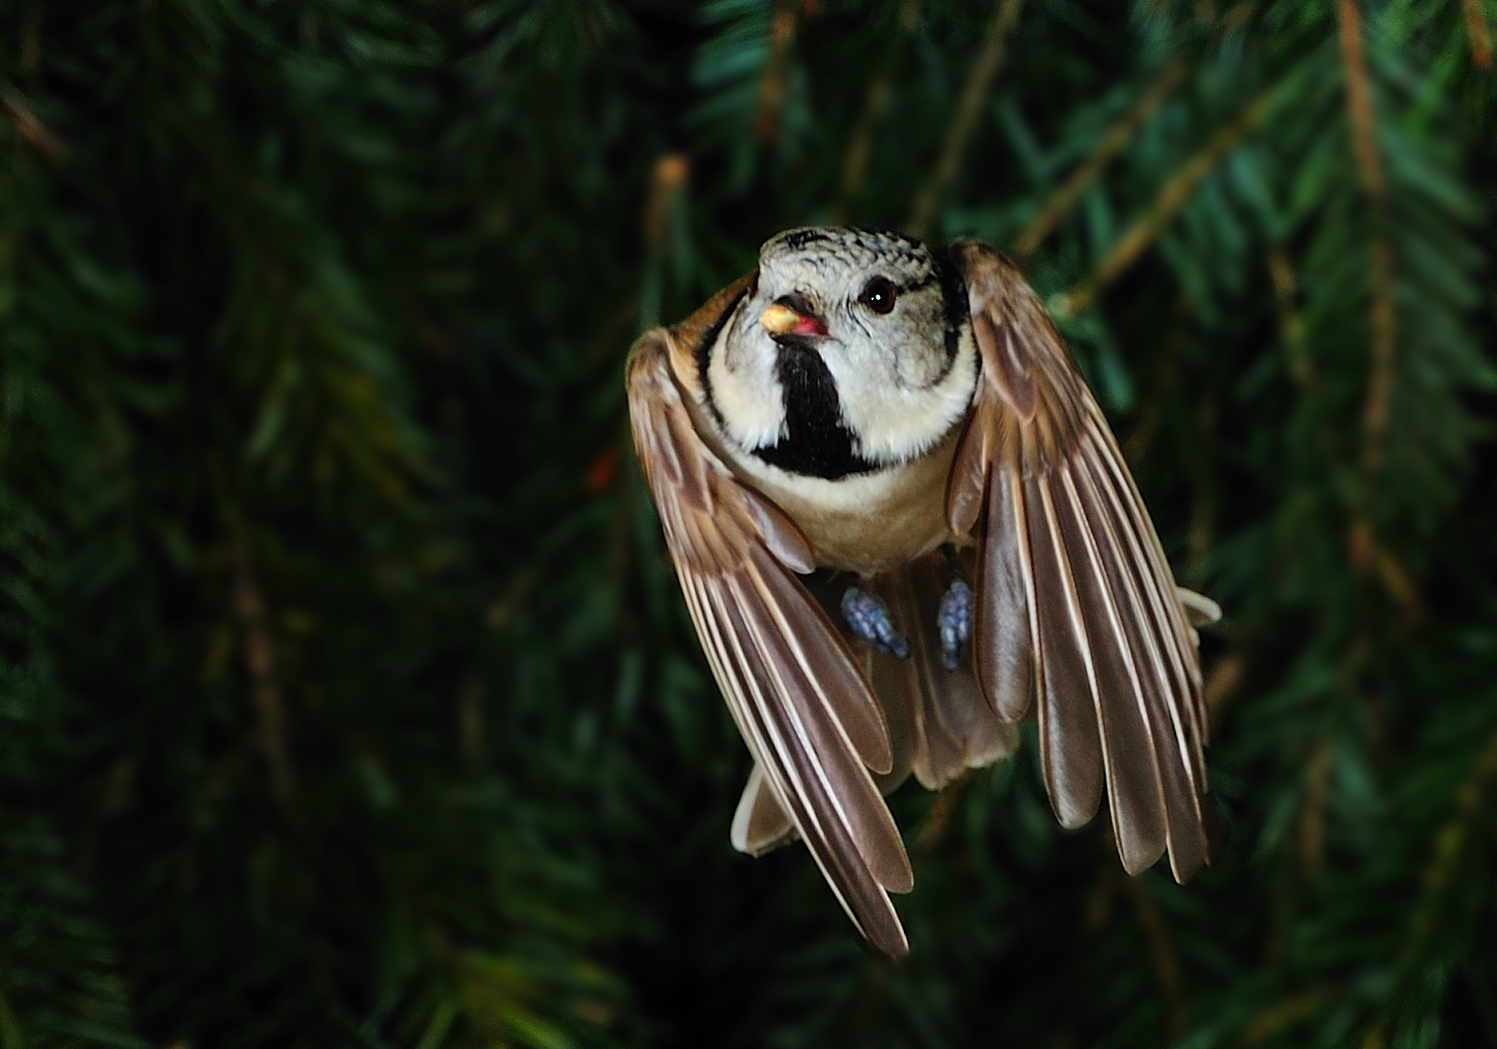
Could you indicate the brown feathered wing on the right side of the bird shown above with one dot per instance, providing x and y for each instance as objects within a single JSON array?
[{"x": 1076, "y": 601}]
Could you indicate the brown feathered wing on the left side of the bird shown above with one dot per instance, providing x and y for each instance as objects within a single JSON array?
[{"x": 803, "y": 706}]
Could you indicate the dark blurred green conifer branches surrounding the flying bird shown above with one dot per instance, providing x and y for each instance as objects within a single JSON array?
[{"x": 347, "y": 695}]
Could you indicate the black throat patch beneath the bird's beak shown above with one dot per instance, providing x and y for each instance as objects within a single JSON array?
[{"x": 817, "y": 444}]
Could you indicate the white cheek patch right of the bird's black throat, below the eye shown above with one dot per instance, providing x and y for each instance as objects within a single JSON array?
[{"x": 893, "y": 423}]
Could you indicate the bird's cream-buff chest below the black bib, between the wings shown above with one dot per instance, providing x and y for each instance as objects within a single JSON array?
[{"x": 865, "y": 523}]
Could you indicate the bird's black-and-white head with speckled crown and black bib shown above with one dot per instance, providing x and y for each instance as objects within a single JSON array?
[{"x": 851, "y": 351}]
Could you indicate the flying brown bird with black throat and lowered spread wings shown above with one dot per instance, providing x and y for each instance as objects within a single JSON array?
[{"x": 902, "y": 523}]
